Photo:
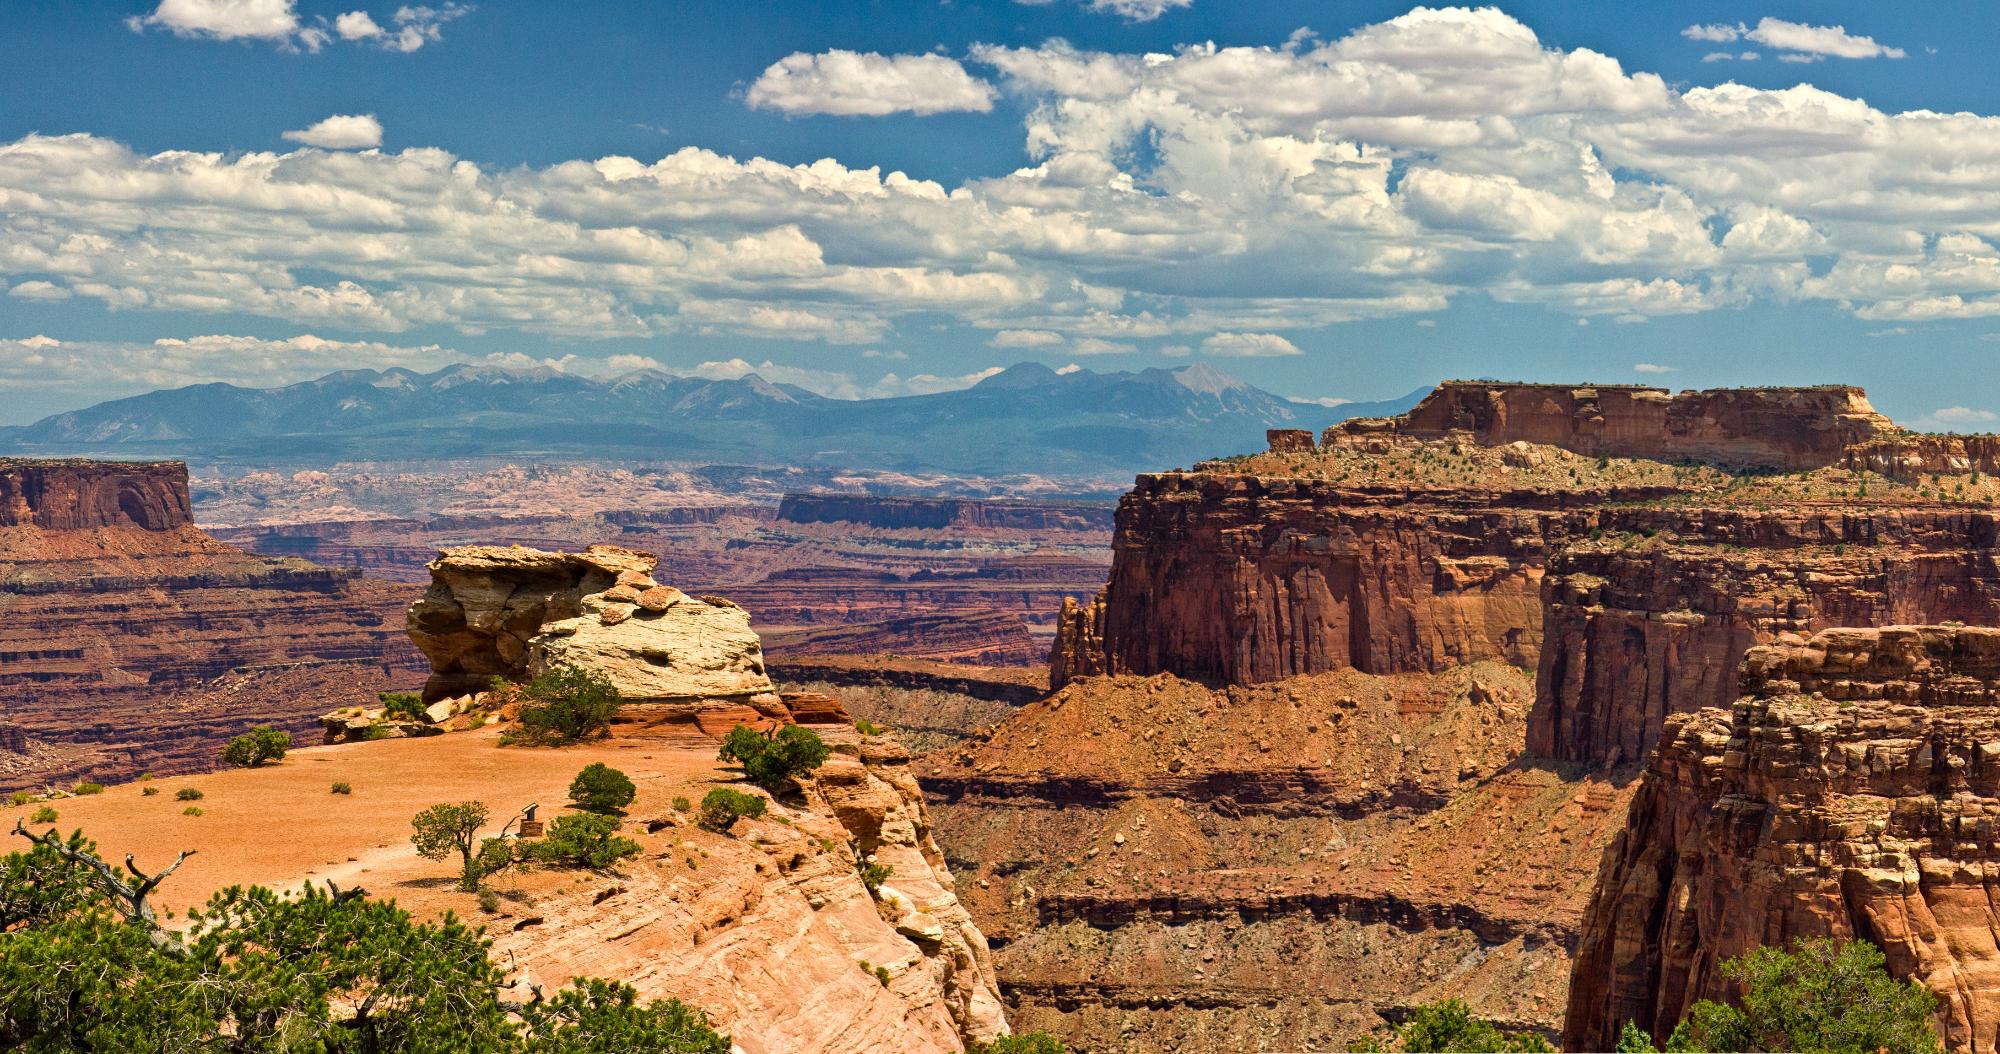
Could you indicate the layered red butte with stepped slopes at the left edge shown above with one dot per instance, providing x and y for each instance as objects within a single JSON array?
[{"x": 133, "y": 641}]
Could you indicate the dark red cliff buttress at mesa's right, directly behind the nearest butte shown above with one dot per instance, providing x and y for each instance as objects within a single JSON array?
[{"x": 1651, "y": 613}]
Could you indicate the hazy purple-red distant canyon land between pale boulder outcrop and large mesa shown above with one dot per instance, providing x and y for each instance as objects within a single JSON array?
[{"x": 971, "y": 581}]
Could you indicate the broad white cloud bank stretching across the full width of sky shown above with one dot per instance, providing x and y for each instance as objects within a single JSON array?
[{"x": 1167, "y": 201}]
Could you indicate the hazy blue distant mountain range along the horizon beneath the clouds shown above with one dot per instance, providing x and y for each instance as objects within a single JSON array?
[{"x": 1027, "y": 419}]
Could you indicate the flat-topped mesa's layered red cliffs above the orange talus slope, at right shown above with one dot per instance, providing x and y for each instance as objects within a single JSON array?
[{"x": 1633, "y": 587}]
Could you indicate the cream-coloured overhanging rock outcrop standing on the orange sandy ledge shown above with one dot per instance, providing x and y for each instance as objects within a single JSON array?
[{"x": 515, "y": 613}]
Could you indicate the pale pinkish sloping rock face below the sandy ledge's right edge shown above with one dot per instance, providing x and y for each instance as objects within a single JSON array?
[{"x": 773, "y": 929}]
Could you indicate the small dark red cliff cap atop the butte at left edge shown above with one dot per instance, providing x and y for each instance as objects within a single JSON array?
[{"x": 75, "y": 495}]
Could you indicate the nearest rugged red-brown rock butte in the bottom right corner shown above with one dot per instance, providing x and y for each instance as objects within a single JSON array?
[{"x": 1849, "y": 793}]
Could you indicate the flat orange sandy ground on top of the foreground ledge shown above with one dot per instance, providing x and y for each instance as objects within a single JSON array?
[{"x": 281, "y": 825}]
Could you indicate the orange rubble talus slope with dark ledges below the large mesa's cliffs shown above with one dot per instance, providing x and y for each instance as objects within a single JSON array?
[{"x": 1169, "y": 867}]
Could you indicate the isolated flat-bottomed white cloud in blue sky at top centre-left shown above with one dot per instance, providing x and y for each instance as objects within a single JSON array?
[{"x": 869, "y": 85}]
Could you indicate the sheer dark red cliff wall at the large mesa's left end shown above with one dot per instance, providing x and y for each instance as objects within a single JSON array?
[{"x": 1245, "y": 581}]
